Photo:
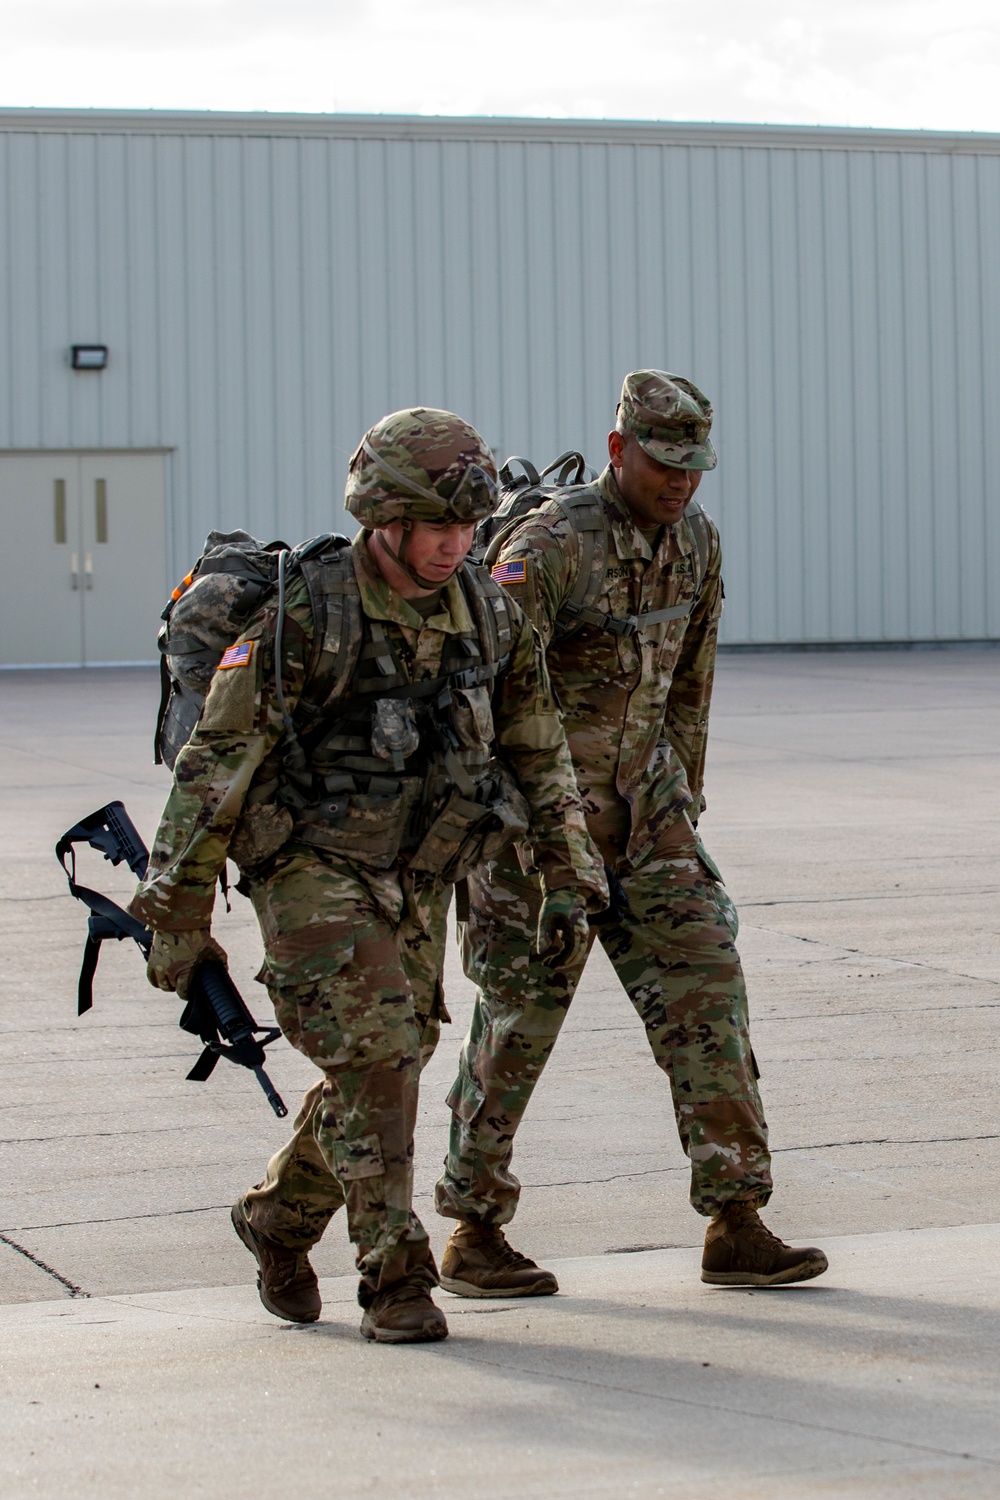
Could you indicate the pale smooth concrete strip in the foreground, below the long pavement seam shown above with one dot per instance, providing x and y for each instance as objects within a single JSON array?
[{"x": 636, "y": 1381}]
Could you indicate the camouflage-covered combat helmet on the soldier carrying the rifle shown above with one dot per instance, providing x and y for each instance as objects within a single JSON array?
[{"x": 422, "y": 464}]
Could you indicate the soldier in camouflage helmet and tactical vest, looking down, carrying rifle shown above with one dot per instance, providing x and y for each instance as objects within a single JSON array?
[{"x": 386, "y": 724}]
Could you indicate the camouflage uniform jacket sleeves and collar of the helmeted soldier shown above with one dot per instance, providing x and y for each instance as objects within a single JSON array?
[{"x": 236, "y": 748}]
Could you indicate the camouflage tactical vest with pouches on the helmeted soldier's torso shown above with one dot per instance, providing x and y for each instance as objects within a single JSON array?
[{"x": 379, "y": 769}]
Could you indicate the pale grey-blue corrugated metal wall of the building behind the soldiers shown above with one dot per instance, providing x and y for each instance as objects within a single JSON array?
[{"x": 269, "y": 287}]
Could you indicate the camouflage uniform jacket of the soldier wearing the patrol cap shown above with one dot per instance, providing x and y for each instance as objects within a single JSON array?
[{"x": 636, "y": 709}]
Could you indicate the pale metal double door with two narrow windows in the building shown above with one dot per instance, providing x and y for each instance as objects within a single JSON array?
[{"x": 83, "y": 538}]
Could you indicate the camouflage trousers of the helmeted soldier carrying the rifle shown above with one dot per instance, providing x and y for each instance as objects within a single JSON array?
[{"x": 361, "y": 995}]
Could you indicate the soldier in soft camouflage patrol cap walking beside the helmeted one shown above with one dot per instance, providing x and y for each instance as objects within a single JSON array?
[{"x": 623, "y": 583}]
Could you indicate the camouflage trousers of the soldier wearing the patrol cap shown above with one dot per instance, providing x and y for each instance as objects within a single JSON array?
[{"x": 677, "y": 959}]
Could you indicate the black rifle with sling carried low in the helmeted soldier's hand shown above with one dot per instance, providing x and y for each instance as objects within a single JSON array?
[{"x": 215, "y": 1007}]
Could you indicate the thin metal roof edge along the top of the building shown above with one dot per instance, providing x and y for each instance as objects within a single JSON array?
[{"x": 491, "y": 128}]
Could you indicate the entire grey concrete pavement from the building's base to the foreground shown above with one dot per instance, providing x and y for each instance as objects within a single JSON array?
[{"x": 855, "y": 811}]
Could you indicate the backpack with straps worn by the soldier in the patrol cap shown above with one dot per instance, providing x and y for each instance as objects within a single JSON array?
[{"x": 573, "y": 488}]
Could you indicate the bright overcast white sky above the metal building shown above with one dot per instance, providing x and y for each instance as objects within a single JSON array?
[{"x": 905, "y": 64}]
